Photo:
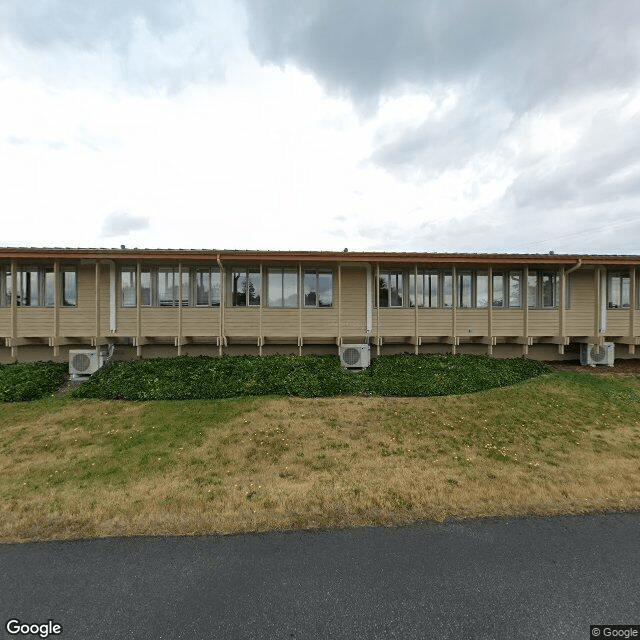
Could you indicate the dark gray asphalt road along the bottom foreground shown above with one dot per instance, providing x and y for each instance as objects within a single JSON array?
[{"x": 500, "y": 578}]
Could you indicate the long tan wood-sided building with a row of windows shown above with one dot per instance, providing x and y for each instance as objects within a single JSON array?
[{"x": 152, "y": 303}]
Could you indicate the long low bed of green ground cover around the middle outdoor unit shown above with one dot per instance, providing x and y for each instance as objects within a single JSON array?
[{"x": 307, "y": 376}]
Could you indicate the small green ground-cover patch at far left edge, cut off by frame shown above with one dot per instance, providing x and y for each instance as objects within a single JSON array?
[{"x": 30, "y": 381}]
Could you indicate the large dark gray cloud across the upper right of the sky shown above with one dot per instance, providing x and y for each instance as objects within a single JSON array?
[{"x": 525, "y": 53}]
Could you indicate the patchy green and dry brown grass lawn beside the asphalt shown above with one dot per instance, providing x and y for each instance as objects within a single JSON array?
[{"x": 562, "y": 443}]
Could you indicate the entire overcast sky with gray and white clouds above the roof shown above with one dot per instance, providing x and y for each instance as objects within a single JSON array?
[{"x": 421, "y": 125}]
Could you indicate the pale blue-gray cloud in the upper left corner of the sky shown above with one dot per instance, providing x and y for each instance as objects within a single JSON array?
[{"x": 142, "y": 43}]
